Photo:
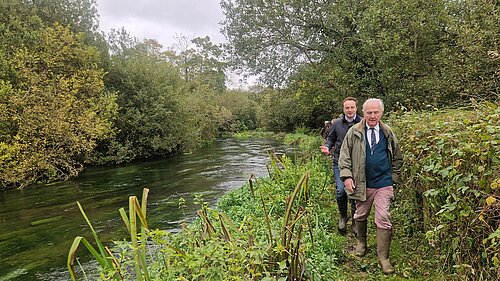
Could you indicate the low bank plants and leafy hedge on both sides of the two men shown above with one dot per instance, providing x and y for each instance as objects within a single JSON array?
[{"x": 282, "y": 227}]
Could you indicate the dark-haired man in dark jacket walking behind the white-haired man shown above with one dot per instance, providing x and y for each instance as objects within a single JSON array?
[{"x": 334, "y": 139}]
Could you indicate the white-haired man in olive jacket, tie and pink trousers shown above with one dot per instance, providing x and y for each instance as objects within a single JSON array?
[{"x": 370, "y": 162}]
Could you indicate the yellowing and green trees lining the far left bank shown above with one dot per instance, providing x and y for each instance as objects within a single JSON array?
[{"x": 71, "y": 96}]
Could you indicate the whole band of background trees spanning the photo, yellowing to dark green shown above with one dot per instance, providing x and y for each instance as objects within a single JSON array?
[{"x": 71, "y": 96}]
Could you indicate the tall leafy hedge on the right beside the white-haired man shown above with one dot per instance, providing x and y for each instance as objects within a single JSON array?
[{"x": 450, "y": 184}]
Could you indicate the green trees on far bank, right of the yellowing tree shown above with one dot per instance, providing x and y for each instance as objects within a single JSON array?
[{"x": 168, "y": 102}]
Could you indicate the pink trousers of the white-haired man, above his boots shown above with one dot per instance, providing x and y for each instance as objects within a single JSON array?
[{"x": 381, "y": 198}]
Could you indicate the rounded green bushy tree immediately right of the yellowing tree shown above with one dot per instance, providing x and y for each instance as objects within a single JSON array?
[{"x": 152, "y": 119}]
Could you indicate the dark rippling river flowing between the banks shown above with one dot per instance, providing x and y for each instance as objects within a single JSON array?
[{"x": 38, "y": 224}]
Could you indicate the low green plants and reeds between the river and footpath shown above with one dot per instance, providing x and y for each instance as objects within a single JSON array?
[{"x": 232, "y": 243}]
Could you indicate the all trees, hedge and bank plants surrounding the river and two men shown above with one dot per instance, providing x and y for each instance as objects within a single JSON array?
[{"x": 71, "y": 97}]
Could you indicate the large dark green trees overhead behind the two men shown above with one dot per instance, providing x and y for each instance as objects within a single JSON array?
[{"x": 323, "y": 51}]
